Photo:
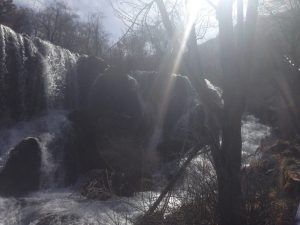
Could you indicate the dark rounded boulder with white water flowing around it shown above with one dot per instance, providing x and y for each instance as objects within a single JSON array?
[{"x": 21, "y": 173}]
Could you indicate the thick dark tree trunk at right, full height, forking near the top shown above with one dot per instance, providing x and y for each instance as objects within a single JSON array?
[{"x": 235, "y": 62}]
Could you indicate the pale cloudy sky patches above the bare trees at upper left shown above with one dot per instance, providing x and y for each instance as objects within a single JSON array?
[{"x": 83, "y": 7}]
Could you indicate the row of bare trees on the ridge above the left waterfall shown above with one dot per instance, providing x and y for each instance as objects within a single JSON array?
[{"x": 60, "y": 25}]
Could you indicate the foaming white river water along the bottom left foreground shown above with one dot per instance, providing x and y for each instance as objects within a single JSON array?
[{"x": 64, "y": 204}]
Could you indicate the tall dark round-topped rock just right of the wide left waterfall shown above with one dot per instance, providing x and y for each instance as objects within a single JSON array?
[{"x": 113, "y": 112}]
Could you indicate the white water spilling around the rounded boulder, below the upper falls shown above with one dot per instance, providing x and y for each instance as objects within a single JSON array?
[{"x": 47, "y": 129}]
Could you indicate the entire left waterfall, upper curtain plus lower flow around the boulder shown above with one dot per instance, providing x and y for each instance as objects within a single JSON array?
[{"x": 38, "y": 83}]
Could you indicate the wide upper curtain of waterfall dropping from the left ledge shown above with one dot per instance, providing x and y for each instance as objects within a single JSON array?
[{"x": 35, "y": 76}]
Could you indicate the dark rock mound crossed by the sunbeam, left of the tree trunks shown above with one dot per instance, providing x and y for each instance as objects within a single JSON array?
[{"x": 167, "y": 100}]
